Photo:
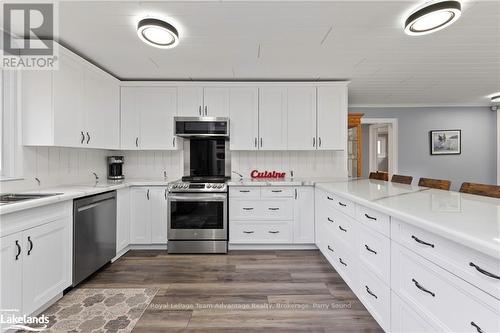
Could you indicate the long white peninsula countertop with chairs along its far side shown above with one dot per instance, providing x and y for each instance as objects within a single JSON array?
[{"x": 471, "y": 220}]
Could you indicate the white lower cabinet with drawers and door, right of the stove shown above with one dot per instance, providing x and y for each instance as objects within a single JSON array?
[{"x": 271, "y": 215}]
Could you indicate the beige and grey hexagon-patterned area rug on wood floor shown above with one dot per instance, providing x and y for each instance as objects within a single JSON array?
[{"x": 98, "y": 310}]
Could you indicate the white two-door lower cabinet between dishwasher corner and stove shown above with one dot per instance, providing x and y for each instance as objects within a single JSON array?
[{"x": 148, "y": 215}]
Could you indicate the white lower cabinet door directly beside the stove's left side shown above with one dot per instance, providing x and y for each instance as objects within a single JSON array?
[{"x": 158, "y": 215}]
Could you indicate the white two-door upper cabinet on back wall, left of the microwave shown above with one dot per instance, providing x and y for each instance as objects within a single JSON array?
[{"x": 148, "y": 118}]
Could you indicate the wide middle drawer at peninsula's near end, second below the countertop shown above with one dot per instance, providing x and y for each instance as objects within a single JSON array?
[{"x": 445, "y": 299}]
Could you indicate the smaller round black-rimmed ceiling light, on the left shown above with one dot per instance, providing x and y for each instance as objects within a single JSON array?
[{"x": 157, "y": 33}]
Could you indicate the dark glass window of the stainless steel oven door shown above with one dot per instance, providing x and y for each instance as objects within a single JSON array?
[{"x": 197, "y": 215}]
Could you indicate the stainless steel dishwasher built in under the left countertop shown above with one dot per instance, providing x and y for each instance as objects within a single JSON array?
[{"x": 94, "y": 234}]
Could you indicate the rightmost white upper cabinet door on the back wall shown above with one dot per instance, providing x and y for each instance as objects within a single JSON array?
[{"x": 332, "y": 118}]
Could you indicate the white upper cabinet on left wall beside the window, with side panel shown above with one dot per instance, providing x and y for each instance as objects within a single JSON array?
[{"x": 74, "y": 106}]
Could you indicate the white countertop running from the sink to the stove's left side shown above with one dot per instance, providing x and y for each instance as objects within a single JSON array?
[{"x": 70, "y": 192}]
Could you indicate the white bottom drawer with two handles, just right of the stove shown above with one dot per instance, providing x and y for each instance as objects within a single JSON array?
[{"x": 244, "y": 232}]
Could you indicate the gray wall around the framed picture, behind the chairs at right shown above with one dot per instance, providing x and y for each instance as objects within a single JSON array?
[{"x": 477, "y": 163}]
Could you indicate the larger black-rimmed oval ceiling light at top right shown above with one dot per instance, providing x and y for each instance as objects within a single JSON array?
[{"x": 432, "y": 17}]
